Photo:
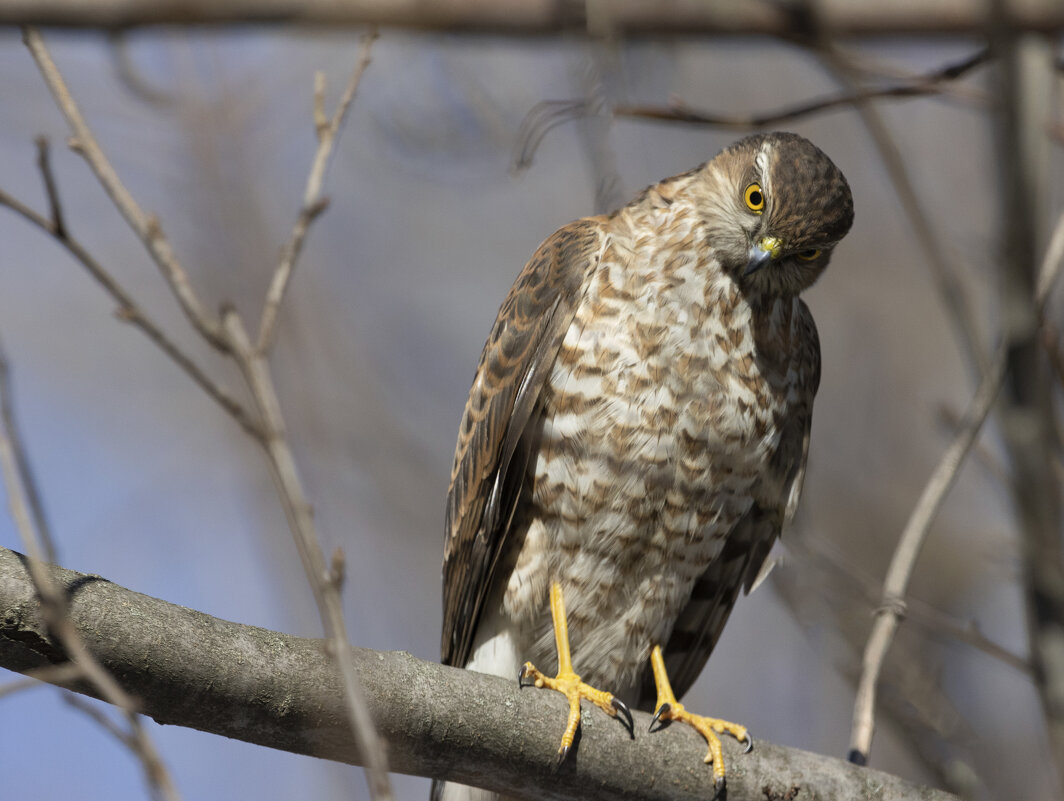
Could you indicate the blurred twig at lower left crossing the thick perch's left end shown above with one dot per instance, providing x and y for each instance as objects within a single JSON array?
[{"x": 55, "y": 613}]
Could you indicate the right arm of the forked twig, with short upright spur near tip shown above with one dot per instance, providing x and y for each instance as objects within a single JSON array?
[{"x": 327, "y": 130}]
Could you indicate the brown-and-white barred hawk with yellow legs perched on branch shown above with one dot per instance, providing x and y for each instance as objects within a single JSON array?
[{"x": 637, "y": 435}]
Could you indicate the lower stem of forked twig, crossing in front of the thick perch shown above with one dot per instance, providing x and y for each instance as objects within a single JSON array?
[{"x": 256, "y": 370}]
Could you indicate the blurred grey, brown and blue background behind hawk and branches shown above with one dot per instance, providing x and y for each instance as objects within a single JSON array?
[{"x": 148, "y": 483}]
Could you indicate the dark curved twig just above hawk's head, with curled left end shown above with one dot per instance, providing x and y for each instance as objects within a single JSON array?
[{"x": 550, "y": 114}]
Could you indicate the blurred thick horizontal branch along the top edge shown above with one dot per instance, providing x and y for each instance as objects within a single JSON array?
[{"x": 538, "y": 18}]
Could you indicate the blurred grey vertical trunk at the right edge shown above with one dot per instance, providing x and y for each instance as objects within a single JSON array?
[{"x": 1025, "y": 88}]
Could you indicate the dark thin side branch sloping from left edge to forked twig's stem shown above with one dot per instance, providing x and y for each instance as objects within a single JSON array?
[{"x": 130, "y": 312}]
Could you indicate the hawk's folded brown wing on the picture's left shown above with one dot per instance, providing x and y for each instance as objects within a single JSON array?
[{"x": 486, "y": 478}]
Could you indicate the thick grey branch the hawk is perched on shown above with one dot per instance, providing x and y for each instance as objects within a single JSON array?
[{"x": 274, "y": 690}]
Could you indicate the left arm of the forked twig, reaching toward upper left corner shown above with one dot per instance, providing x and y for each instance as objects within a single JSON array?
[{"x": 145, "y": 226}]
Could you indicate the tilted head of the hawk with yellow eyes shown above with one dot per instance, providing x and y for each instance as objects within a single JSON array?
[{"x": 775, "y": 208}]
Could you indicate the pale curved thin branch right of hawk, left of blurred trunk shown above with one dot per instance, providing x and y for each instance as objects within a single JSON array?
[{"x": 892, "y": 609}]
